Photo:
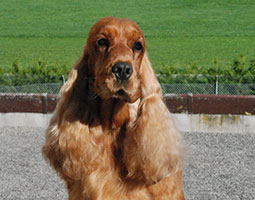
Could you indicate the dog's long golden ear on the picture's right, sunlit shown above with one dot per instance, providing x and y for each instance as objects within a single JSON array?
[{"x": 152, "y": 149}]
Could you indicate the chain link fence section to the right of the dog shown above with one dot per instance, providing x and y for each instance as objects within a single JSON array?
[{"x": 201, "y": 84}]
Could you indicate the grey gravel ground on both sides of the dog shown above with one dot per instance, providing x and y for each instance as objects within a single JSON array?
[{"x": 217, "y": 166}]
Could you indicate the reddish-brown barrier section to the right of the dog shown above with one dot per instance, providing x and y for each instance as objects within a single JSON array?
[{"x": 210, "y": 104}]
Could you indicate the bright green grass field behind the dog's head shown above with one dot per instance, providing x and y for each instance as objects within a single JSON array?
[{"x": 178, "y": 32}]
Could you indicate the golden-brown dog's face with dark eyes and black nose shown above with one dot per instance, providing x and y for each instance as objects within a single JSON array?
[{"x": 116, "y": 48}]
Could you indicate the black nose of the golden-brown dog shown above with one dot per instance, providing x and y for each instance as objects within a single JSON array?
[{"x": 122, "y": 70}]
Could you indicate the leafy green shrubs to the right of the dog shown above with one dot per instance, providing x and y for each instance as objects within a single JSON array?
[{"x": 239, "y": 72}]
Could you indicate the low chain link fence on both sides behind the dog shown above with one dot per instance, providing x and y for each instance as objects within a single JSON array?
[{"x": 216, "y": 86}]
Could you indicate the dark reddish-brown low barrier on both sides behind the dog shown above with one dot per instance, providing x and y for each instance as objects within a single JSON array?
[{"x": 176, "y": 103}]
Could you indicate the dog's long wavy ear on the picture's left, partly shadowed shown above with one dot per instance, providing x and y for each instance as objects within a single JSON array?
[{"x": 62, "y": 125}]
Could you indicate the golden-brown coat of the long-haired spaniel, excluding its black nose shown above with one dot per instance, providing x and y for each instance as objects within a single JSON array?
[{"x": 112, "y": 138}]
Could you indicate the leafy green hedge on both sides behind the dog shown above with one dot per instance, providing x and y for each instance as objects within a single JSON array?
[{"x": 239, "y": 72}]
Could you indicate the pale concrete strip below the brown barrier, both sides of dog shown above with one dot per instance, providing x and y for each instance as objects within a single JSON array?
[{"x": 184, "y": 122}]
